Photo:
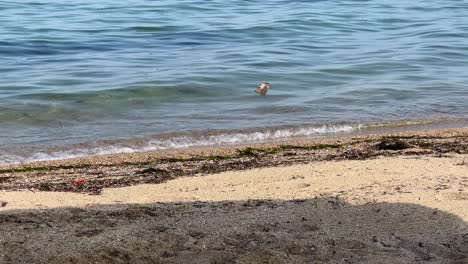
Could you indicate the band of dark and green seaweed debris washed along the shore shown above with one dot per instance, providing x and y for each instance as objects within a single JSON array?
[{"x": 92, "y": 174}]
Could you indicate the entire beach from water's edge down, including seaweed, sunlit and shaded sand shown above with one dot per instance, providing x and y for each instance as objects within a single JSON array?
[{"x": 400, "y": 198}]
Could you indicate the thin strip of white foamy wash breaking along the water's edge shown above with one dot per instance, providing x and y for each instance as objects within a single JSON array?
[{"x": 189, "y": 140}]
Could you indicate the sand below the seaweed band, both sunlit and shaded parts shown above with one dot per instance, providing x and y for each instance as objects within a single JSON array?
[{"x": 397, "y": 209}]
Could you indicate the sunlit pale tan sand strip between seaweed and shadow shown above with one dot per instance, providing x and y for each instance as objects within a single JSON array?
[{"x": 429, "y": 181}]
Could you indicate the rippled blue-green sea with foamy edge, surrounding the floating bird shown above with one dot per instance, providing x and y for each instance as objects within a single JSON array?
[{"x": 89, "y": 77}]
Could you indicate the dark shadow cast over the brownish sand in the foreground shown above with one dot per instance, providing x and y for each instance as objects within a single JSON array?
[{"x": 324, "y": 230}]
